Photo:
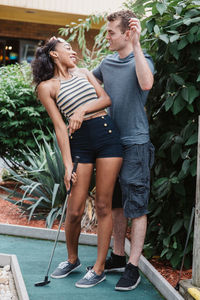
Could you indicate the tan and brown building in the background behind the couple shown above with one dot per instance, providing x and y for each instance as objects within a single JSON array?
[{"x": 24, "y": 23}]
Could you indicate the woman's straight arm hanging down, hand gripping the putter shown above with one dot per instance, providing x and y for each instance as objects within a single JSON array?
[{"x": 46, "y": 99}]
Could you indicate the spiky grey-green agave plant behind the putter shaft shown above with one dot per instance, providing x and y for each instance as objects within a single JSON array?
[{"x": 42, "y": 188}]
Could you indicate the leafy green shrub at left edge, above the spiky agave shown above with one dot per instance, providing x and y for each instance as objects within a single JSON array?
[{"x": 21, "y": 115}]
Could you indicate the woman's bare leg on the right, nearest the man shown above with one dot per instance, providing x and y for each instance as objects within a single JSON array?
[{"x": 107, "y": 170}]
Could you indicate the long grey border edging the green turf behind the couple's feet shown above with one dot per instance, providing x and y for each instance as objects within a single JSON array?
[{"x": 147, "y": 269}]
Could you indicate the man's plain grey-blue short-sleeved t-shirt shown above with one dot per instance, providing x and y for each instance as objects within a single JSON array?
[{"x": 128, "y": 99}]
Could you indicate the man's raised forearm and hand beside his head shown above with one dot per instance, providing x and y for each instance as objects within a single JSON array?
[{"x": 143, "y": 71}]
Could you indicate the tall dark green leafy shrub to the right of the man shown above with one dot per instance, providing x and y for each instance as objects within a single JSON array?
[{"x": 172, "y": 37}]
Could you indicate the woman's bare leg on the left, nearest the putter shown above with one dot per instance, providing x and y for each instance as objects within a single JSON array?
[{"x": 75, "y": 209}]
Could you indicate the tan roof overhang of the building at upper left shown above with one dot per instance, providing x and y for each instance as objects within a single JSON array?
[{"x": 55, "y": 12}]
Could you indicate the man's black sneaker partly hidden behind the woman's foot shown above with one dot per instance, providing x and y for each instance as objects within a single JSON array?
[{"x": 114, "y": 263}]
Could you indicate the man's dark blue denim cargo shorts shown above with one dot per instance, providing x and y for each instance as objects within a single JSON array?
[{"x": 134, "y": 180}]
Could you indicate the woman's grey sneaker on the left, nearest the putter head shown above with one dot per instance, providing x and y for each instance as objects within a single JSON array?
[{"x": 65, "y": 268}]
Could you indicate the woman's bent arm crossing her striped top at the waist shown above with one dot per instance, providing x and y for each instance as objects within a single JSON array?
[{"x": 92, "y": 106}]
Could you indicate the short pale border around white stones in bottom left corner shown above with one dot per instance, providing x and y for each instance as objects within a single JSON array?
[{"x": 11, "y": 259}]
